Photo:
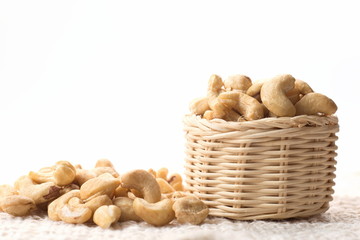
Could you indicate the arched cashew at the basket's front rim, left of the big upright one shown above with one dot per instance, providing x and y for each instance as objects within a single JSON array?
[{"x": 248, "y": 106}]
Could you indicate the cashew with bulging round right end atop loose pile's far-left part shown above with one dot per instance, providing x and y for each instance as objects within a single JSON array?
[{"x": 62, "y": 173}]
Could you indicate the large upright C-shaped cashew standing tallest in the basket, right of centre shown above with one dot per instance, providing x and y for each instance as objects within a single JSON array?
[{"x": 273, "y": 95}]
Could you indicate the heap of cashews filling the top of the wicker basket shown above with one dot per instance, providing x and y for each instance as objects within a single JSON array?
[{"x": 239, "y": 99}]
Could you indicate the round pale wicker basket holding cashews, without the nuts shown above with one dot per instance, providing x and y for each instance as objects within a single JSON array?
[{"x": 271, "y": 168}]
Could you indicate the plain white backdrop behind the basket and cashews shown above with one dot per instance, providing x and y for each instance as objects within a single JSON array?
[{"x": 83, "y": 80}]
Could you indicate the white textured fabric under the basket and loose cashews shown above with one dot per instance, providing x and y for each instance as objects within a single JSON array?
[{"x": 341, "y": 221}]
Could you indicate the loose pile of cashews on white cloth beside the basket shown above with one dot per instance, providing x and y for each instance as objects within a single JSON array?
[{"x": 101, "y": 195}]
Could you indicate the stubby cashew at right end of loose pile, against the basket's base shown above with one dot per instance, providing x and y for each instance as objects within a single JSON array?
[{"x": 190, "y": 210}]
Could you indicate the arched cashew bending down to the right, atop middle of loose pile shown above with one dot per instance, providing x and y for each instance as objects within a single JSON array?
[{"x": 144, "y": 182}]
